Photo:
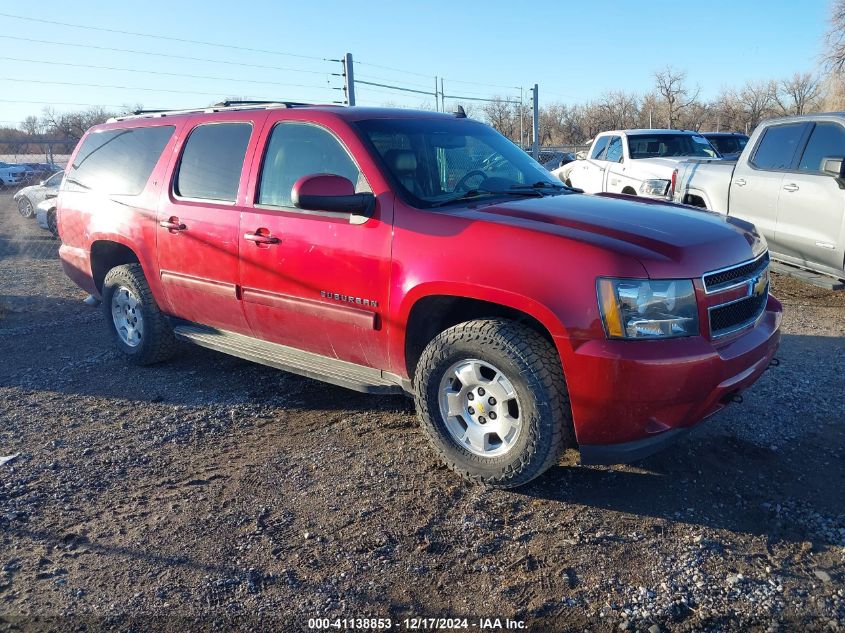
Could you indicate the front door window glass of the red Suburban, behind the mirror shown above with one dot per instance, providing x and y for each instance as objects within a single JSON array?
[{"x": 296, "y": 150}]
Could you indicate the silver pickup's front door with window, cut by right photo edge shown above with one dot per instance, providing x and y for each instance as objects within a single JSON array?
[{"x": 811, "y": 207}]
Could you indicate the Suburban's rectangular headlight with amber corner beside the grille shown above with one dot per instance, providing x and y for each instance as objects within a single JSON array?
[{"x": 640, "y": 308}]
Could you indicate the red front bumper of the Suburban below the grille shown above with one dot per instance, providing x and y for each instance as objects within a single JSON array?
[{"x": 629, "y": 398}]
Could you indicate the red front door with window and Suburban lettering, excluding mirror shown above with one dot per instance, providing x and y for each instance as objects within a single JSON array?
[{"x": 313, "y": 280}]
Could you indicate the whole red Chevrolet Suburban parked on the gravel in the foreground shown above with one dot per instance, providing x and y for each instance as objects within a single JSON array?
[{"x": 394, "y": 251}]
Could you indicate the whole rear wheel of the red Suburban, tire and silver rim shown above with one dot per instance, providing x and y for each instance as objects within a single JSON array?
[{"x": 140, "y": 329}]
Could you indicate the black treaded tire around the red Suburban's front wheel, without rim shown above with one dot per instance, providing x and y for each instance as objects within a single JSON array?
[{"x": 535, "y": 353}]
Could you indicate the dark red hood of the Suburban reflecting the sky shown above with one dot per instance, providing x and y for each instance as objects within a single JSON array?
[{"x": 669, "y": 240}]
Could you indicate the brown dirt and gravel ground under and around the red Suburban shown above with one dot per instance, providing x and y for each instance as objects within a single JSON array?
[{"x": 209, "y": 493}]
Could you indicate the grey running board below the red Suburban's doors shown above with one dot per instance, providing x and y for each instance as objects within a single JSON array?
[{"x": 316, "y": 366}]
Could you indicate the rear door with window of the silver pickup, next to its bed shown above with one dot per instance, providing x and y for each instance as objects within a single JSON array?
[{"x": 756, "y": 184}]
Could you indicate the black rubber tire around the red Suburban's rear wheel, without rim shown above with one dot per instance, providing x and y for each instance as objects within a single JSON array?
[{"x": 160, "y": 343}]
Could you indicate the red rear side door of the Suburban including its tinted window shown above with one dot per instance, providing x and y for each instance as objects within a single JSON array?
[{"x": 199, "y": 220}]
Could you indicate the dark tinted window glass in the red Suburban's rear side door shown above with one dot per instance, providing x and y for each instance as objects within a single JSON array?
[{"x": 211, "y": 164}]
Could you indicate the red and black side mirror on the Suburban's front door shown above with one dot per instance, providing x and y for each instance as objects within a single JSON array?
[{"x": 335, "y": 194}]
